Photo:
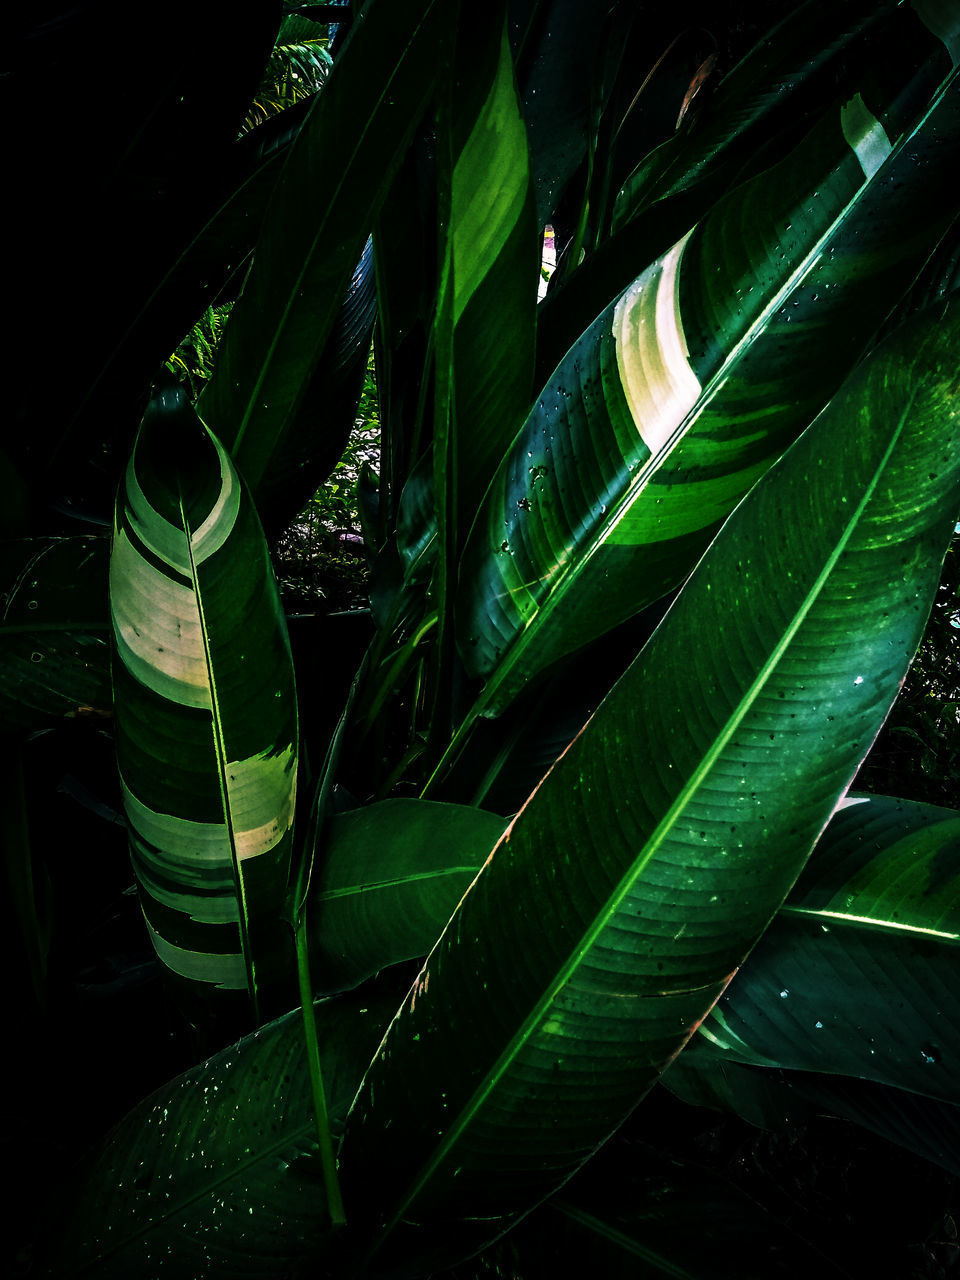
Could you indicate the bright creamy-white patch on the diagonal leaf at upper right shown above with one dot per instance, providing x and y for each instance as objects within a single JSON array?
[{"x": 653, "y": 360}]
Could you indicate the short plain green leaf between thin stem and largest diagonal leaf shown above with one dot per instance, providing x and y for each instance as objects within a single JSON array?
[{"x": 391, "y": 879}]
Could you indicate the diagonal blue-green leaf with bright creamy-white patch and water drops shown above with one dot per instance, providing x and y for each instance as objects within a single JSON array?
[{"x": 692, "y": 383}]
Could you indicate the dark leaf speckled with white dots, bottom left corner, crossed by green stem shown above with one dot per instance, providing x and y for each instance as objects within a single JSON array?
[{"x": 217, "y": 1173}]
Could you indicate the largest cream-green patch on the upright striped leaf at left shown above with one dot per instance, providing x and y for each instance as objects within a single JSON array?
[{"x": 157, "y": 627}]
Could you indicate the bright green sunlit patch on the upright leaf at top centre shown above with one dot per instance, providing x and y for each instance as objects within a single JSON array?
[{"x": 484, "y": 217}]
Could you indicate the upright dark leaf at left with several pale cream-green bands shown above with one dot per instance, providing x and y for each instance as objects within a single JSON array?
[{"x": 205, "y": 702}]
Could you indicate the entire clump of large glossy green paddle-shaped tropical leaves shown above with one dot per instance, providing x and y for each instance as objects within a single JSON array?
[{"x": 650, "y": 563}]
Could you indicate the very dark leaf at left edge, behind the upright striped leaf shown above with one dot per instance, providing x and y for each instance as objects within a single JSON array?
[{"x": 54, "y": 634}]
